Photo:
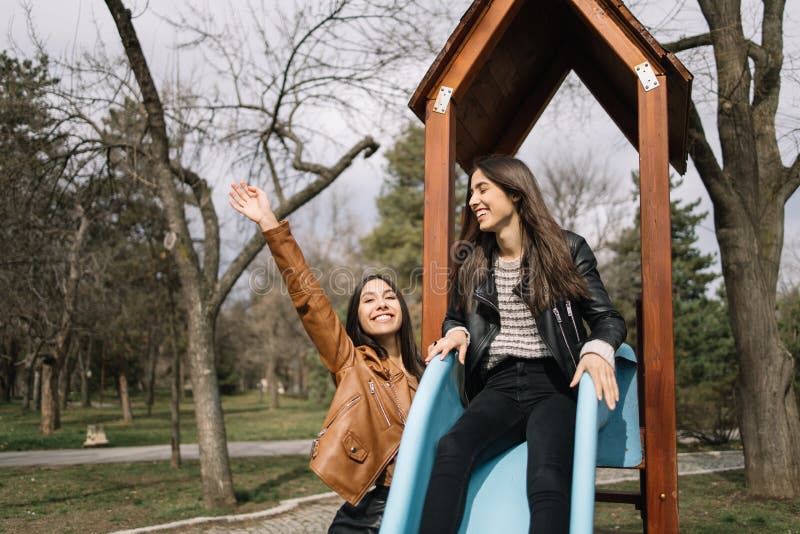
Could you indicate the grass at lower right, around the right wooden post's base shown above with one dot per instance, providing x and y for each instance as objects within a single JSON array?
[{"x": 715, "y": 503}]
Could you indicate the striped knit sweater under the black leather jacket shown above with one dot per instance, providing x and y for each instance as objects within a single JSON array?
[{"x": 518, "y": 335}]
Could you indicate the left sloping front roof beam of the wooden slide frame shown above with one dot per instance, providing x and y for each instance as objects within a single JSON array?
[{"x": 477, "y": 47}]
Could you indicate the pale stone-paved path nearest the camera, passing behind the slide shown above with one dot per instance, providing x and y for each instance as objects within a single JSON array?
[{"x": 313, "y": 514}]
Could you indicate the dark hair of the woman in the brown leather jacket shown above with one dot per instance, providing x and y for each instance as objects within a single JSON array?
[{"x": 412, "y": 360}]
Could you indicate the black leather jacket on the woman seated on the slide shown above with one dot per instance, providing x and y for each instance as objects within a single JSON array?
[{"x": 561, "y": 327}]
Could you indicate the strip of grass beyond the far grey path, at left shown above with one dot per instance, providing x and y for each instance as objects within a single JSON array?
[{"x": 246, "y": 419}]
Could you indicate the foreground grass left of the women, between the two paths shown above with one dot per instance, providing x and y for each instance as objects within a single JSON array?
[{"x": 102, "y": 498}]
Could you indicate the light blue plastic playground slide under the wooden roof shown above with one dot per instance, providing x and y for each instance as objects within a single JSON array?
[{"x": 496, "y": 499}]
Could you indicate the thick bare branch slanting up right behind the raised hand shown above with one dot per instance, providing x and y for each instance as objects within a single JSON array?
[{"x": 326, "y": 176}]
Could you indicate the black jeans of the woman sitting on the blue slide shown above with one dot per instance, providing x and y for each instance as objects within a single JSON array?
[{"x": 522, "y": 400}]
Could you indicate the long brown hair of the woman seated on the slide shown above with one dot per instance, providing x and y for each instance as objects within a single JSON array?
[{"x": 548, "y": 272}]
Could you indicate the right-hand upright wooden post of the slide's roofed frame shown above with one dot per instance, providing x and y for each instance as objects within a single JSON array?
[{"x": 660, "y": 443}]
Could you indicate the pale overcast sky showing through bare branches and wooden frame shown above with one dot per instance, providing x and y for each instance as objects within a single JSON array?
[{"x": 70, "y": 27}]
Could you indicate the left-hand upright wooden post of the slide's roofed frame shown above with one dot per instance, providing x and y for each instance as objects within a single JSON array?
[{"x": 438, "y": 225}]
